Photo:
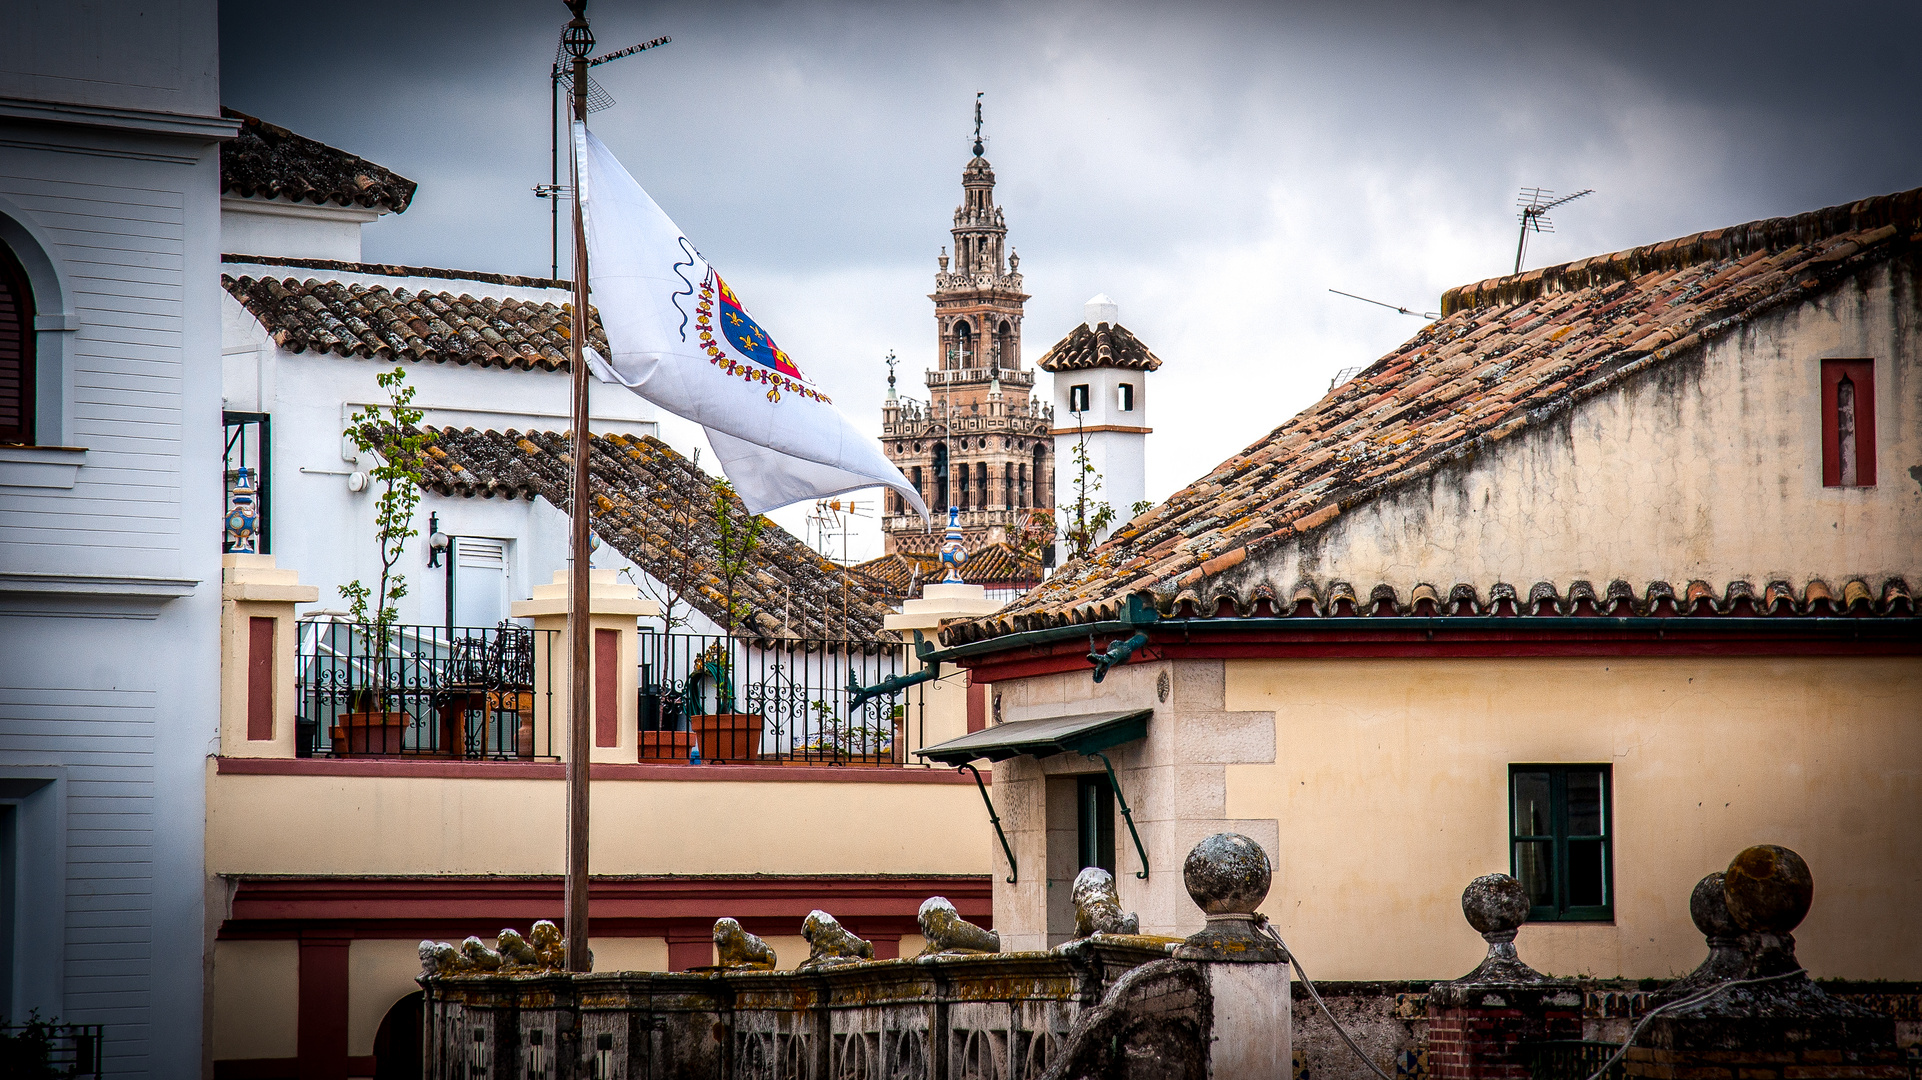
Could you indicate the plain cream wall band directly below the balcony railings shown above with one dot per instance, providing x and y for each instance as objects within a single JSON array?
[{"x": 430, "y": 825}]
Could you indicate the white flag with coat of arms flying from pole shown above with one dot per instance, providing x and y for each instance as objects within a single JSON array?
[{"x": 683, "y": 341}]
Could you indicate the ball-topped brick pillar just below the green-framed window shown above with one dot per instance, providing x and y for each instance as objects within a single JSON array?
[{"x": 1479, "y": 1023}]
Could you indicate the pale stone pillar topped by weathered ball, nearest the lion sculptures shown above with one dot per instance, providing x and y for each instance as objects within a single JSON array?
[{"x": 1250, "y": 1037}]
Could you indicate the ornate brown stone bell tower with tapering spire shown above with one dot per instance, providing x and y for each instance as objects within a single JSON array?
[{"x": 981, "y": 441}]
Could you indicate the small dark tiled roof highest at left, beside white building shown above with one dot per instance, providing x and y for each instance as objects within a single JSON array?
[{"x": 270, "y": 162}]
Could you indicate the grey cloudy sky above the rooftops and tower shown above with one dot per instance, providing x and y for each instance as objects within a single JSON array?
[{"x": 1216, "y": 168}]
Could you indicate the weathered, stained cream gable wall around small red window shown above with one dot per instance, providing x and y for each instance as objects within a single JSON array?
[{"x": 1708, "y": 468}]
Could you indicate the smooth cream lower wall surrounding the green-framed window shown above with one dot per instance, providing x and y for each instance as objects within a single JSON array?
[{"x": 1391, "y": 789}]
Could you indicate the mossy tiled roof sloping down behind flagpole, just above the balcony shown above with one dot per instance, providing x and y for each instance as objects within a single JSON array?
[{"x": 656, "y": 508}]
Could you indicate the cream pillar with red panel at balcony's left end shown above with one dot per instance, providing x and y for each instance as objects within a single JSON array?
[{"x": 259, "y": 639}]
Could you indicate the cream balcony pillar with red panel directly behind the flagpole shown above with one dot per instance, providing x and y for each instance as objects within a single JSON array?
[{"x": 614, "y": 652}]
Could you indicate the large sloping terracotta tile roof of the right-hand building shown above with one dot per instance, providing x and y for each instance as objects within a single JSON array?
[{"x": 1508, "y": 353}]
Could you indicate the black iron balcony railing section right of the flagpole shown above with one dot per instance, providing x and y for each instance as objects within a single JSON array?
[{"x": 722, "y": 700}]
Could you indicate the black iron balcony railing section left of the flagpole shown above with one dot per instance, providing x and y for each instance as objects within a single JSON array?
[{"x": 470, "y": 693}]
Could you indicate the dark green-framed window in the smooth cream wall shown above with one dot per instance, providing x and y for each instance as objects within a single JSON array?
[{"x": 1560, "y": 841}]
